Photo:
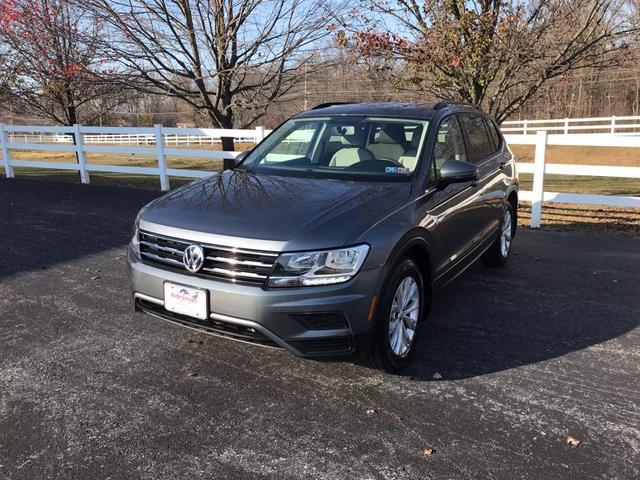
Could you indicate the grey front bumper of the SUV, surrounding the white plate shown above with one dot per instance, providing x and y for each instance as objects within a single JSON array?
[{"x": 322, "y": 321}]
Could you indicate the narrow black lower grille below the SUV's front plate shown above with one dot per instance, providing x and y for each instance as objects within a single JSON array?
[{"x": 218, "y": 327}]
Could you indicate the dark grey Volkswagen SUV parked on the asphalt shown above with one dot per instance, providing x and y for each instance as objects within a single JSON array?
[{"x": 329, "y": 238}]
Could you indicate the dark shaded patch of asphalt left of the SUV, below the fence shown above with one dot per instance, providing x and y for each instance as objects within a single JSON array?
[{"x": 49, "y": 223}]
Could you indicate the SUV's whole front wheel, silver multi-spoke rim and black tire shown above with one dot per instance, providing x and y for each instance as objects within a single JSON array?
[{"x": 400, "y": 313}]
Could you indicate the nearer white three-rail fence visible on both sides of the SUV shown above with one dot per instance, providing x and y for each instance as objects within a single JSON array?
[{"x": 157, "y": 144}]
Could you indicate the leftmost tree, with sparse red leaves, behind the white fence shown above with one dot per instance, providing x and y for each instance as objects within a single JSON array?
[{"x": 58, "y": 61}]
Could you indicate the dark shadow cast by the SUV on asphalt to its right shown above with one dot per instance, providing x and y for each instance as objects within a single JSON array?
[{"x": 492, "y": 320}]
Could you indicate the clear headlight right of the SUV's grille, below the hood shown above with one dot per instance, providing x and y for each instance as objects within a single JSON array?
[{"x": 318, "y": 268}]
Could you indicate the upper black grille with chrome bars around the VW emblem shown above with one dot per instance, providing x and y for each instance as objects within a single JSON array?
[{"x": 225, "y": 263}]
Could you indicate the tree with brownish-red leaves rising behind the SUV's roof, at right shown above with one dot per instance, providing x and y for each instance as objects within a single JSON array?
[{"x": 493, "y": 53}]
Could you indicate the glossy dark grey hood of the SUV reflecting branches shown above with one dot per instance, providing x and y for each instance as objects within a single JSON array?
[{"x": 289, "y": 212}]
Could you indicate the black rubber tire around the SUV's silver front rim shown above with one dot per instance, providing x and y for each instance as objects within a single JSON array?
[{"x": 382, "y": 355}]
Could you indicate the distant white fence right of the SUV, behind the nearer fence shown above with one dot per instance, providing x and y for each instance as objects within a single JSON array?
[{"x": 629, "y": 125}]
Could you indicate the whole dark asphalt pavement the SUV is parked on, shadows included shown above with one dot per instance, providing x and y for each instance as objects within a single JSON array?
[{"x": 512, "y": 362}]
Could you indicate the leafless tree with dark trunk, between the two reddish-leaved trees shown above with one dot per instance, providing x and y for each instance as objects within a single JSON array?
[{"x": 218, "y": 56}]
